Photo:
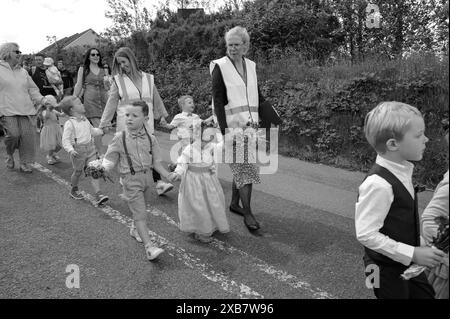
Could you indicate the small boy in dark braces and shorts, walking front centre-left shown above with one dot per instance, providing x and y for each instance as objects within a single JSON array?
[{"x": 135, "y": 152}]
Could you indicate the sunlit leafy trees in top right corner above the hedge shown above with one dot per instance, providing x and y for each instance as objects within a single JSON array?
[{"x": 406, "y": 26}]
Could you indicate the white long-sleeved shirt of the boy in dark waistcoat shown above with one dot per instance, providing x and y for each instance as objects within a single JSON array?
[{"x": 375, "y": 199}]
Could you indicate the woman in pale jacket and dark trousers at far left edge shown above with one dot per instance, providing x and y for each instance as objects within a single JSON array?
[{"x": 18, "y": 97}]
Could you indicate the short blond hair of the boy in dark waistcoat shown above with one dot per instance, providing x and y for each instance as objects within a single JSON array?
[{"x": 386, "y": 121}]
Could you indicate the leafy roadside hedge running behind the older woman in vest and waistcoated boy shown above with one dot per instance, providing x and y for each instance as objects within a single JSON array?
[{"x": 324, "y": 107}]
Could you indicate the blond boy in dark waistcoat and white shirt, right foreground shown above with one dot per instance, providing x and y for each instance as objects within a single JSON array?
[{"x": 386, "y": 214}]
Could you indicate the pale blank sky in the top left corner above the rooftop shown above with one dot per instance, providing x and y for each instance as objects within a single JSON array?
[{"x": 29, "y": 22}]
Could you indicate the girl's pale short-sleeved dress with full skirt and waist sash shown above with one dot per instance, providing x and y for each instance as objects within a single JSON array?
[{"x": 201, "y": 201}]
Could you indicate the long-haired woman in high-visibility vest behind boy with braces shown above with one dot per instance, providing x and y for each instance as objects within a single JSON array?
[{"x": 130, "y": 84}]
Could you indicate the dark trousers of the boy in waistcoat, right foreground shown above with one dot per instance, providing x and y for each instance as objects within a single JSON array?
[{"x": 392, "y": 286}]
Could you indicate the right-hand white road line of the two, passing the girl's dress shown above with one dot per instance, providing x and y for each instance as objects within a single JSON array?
[{"x": 280, "y": 275}]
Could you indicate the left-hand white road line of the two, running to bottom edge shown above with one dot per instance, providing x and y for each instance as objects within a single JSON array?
[{"x": 205, "y": 269}]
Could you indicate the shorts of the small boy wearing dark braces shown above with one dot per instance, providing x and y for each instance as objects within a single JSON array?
[{"x": 137, "y": 191}]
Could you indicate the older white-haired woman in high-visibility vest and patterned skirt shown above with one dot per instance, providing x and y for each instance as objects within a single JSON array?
[{"x": 236, "y": 100}]
